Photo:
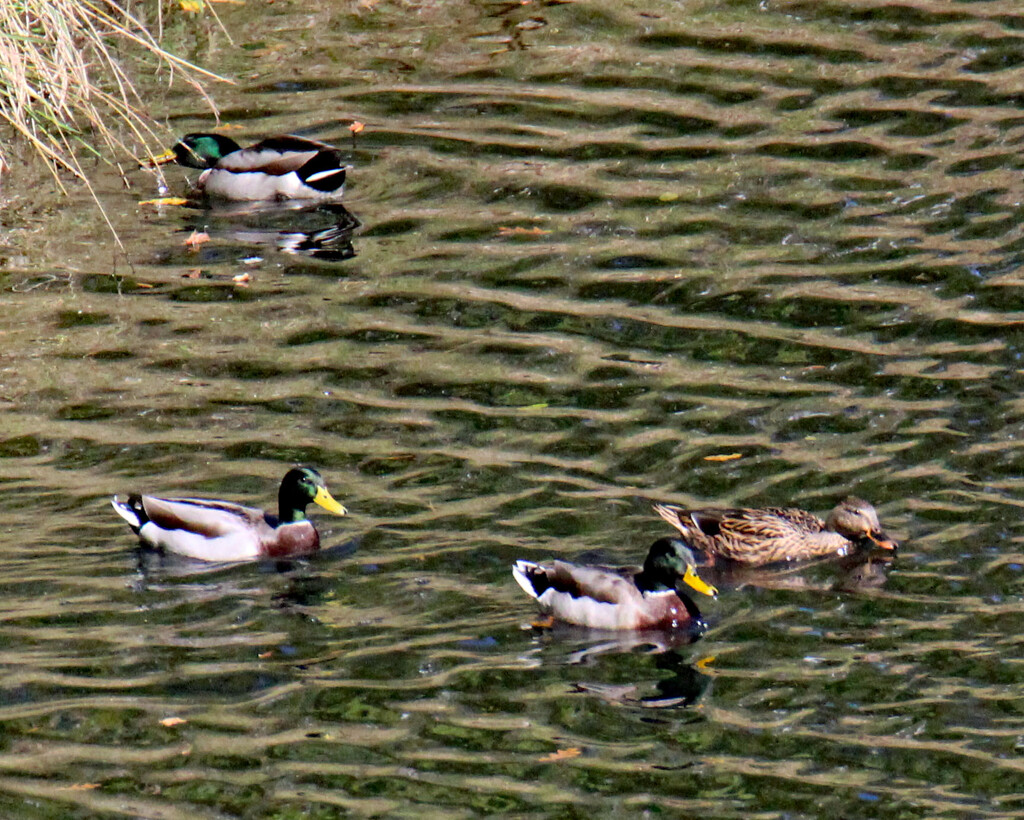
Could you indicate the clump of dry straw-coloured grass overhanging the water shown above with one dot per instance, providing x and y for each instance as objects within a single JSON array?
[{"x": 66, "y": 82}]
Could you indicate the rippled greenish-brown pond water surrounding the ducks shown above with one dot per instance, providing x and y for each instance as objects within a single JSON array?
[{"x": 720, "y": 253}]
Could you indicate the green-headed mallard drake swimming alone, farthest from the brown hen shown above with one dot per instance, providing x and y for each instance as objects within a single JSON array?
[{"x": 219, "y": 531}]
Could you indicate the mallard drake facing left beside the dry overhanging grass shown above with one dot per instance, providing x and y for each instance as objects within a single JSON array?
[{"x": 280, "y": 168}]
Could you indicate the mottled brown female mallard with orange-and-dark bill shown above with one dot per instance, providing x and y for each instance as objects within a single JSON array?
[{"x": 776, "y": 534}]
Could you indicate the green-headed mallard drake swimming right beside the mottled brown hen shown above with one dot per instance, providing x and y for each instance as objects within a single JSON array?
[{"x": 619, "y": 598}]
